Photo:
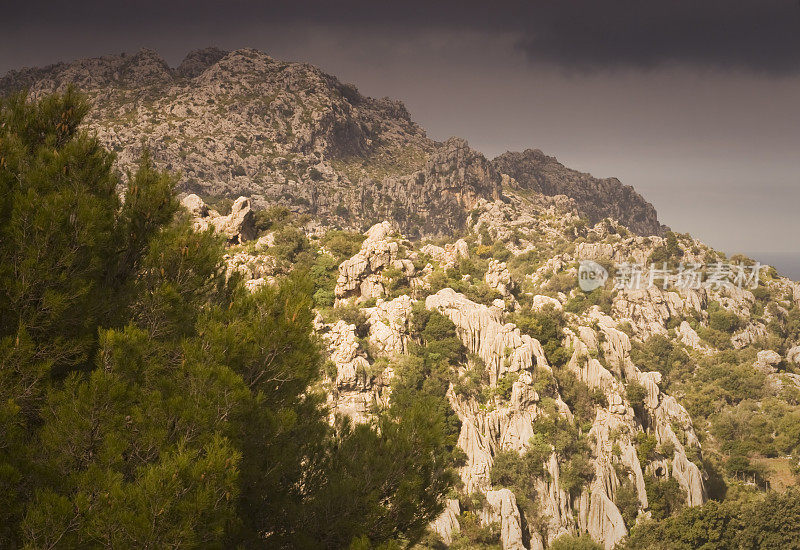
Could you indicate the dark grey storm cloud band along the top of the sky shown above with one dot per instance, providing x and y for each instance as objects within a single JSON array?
[{"x": 760, "y": 36}]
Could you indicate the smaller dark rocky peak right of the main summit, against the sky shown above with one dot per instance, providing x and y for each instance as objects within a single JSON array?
[{"x": 595, "y": 198}]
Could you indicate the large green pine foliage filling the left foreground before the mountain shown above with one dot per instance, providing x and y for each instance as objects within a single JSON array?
[{"x": 146, "y": 401}]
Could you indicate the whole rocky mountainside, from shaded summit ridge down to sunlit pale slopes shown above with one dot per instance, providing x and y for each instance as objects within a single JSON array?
[{"x": 600, "y": 412}]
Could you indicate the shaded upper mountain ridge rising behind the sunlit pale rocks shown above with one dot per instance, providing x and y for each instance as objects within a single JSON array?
[{"x": 242, "y": 123}]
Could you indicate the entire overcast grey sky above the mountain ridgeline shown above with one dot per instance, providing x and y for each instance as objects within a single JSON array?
[{"x": 694, "y": 103}]
